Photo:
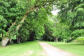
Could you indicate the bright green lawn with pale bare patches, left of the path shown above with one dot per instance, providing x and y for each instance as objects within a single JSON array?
[{"x": 27, "y": 49}]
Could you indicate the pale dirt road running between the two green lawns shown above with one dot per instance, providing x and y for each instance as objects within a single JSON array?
[{"x": 53, "y": 51}]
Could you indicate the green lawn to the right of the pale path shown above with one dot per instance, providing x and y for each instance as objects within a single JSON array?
[{"x": 77, "y": 49}]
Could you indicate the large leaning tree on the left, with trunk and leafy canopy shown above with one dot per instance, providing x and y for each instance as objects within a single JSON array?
[{"x": 15, "y": 12}]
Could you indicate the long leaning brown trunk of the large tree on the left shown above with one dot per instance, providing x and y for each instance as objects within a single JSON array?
[{"x": 6, "y": 40}]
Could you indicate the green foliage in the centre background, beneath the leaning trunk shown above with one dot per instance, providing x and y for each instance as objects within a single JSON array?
[{"x": 34, "y": 23}]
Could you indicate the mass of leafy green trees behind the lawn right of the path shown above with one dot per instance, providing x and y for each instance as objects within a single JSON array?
[{"x": 68, "y": 24}]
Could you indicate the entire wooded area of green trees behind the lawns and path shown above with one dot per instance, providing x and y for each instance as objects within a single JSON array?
[{"x": 28, "y": 20}]
